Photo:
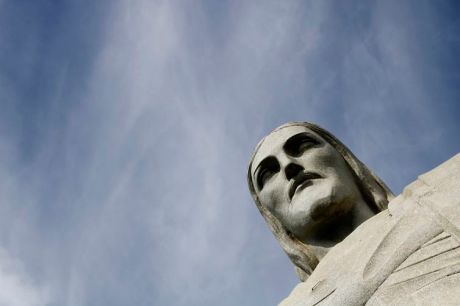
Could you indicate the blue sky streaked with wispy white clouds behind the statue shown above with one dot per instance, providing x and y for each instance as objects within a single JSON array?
[{"x": 126, "y": 128}]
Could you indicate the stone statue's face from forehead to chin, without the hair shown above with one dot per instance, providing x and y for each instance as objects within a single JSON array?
[{"x": 302, "y": 180}]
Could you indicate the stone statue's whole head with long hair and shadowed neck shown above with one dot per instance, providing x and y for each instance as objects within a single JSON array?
[{"x": 306, "y": 183}]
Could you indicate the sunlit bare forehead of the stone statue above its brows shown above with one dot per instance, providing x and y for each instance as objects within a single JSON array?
[{"x": 275, "y": 140}]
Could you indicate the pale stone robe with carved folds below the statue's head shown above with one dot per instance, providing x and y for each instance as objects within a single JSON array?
[{"x": 408, "y": 254}]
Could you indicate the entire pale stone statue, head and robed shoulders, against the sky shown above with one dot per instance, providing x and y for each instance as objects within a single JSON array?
[{"x": 350, "y": 240}]
